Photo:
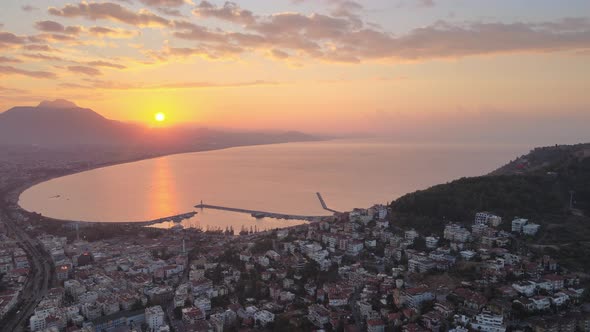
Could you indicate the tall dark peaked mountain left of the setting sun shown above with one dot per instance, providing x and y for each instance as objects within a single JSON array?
[{"x": 61, "y": 122}]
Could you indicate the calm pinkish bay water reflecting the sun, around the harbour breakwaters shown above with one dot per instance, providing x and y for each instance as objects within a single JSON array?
[{"x": 277, "y": 178}]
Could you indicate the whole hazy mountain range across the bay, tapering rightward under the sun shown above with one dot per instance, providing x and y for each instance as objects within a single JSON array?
[{"x": 63, "y": 123}]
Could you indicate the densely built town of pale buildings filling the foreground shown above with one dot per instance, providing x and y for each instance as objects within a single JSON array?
[{"x": 354, "y": 271}]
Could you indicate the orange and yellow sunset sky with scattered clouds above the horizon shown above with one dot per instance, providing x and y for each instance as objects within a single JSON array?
[{"x": 503, "y": 69}]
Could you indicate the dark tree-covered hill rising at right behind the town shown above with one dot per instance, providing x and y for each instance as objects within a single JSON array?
[{"x": 536, "y": 186}]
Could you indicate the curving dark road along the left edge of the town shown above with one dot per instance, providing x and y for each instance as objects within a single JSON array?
[{"x": 38, "y": 282}]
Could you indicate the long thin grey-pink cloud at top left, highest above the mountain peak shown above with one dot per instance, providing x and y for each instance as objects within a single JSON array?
[{"x": 110, "y": 11}]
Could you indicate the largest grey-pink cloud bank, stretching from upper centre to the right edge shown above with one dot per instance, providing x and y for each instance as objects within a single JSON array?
[{"x": 344, "y": 39}]
